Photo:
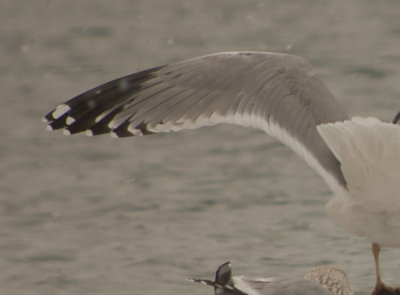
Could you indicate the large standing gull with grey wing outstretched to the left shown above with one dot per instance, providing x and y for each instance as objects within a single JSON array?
[{"x": 278, "y": 93}]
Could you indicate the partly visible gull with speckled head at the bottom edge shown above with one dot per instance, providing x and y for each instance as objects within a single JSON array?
[{"x": 324, "y": 280}]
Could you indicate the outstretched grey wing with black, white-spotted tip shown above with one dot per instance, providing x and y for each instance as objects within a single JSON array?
[{"x": 277, "y": 93}]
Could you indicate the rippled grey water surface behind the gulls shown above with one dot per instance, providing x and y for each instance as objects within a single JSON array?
[{"x": 97, "y": 215}]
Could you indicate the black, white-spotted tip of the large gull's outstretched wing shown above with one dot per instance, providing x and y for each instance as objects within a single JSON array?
[{"x": 106, "y": 101}]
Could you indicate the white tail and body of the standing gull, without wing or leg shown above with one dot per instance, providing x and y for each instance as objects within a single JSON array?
[{"x": 369, "y": 153}]
